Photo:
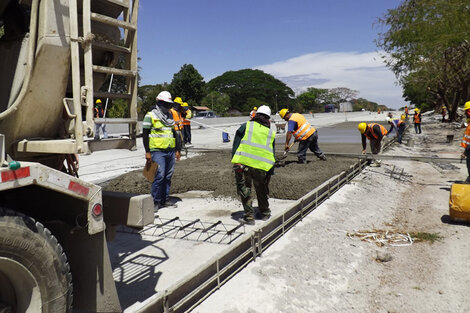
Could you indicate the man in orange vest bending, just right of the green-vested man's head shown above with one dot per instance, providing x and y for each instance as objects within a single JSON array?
[{"x": 304, "y": 133}]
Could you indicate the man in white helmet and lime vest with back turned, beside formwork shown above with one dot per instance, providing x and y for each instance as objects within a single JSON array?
[{"x": 253, "y": 163}]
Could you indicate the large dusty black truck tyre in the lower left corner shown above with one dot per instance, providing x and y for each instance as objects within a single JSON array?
[{"x": 34, "y": 273}]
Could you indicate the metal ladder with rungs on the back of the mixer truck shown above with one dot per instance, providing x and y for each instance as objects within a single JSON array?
[{"x": 127, "y": 52}]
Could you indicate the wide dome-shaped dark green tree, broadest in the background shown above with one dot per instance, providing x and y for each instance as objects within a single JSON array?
[{"x": 243, "y": 84}]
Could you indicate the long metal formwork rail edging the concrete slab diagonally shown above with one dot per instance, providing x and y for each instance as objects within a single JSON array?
[{"x": 191, "y": 291}]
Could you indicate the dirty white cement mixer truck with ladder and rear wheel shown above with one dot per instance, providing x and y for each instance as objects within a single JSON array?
[{"x": 54, "y": 57}]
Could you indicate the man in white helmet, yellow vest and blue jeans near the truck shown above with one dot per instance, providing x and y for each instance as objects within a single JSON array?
[{"x": 160, "y": 143}]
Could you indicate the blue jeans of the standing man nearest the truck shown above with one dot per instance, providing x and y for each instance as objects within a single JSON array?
[{"x": 162, "y": 182}]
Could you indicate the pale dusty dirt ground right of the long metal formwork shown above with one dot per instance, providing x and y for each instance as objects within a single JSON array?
[{"x": 320, "y": 267}]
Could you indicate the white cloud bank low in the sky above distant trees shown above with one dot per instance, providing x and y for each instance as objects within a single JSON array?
[{"x": 364, "y": 72}]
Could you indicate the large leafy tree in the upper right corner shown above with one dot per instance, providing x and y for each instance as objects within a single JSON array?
[{"x": 428, "y": 48}]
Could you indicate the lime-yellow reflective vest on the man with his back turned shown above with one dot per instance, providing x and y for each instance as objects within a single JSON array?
[{"x": 256, "y": 147}]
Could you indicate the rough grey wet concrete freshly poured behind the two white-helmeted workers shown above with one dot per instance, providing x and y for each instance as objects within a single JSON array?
[{"x": 212, "y": 171}]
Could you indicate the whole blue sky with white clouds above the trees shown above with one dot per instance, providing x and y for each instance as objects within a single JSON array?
[{"x": 304, "y": 43}]
